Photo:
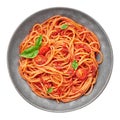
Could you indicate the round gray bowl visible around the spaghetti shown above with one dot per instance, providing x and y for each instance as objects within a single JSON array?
[{"x": 105, "y": 68}]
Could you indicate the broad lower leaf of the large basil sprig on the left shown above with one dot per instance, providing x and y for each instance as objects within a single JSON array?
[{"x": 30, "y": 54}]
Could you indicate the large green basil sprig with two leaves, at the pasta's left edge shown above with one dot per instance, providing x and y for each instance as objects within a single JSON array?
[{"x": 32, "y": 51}]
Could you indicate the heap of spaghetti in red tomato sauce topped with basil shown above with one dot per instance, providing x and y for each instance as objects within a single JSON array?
[{"x": 65, "y": 66}]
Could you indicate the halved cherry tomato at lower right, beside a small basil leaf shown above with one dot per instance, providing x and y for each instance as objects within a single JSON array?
[{"x": 81, "y": 73}]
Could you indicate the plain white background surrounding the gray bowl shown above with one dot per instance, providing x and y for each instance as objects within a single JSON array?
[{"x": 13, "y": 106}]
